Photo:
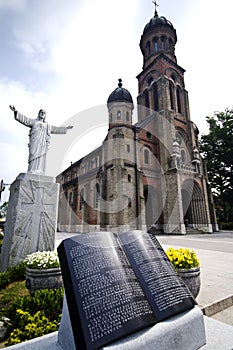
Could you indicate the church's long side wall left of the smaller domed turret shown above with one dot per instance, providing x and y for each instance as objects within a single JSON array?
[{"x": 77, "y": 186}]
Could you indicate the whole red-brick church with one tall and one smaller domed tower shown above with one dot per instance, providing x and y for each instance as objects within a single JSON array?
[{"x": 147, "y": 175}]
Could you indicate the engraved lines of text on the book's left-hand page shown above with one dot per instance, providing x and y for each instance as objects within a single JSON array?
[{"x": 109, "y": 294}]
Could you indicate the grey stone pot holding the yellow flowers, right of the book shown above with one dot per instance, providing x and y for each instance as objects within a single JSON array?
[{"x": 191, "y": 278}]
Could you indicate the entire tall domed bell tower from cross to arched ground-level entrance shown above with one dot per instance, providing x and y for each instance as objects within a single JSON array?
[{"x": 163, "y": 97}]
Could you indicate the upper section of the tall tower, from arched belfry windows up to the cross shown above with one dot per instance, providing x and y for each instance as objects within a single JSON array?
[{"x": 161, "y": 82}]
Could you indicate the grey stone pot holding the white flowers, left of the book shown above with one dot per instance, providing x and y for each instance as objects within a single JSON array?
[{"x": 43, "y": 279}]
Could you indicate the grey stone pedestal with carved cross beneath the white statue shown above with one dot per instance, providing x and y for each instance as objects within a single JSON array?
[{"x": 31, "y": 218}]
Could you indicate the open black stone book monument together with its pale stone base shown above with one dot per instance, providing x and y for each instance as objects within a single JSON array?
[{"x": 122, "y": 293}]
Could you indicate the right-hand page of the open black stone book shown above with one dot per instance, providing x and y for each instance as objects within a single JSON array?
[{"x": 164, "y": 289}]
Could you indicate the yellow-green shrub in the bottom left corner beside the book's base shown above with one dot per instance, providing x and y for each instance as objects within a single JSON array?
[{"x": 30, "y": 327}]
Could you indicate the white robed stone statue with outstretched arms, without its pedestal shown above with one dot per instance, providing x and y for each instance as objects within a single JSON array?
[{"x": 39, "y": 139}]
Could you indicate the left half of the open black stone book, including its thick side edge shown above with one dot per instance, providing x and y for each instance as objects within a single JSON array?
[{"x": 105, "y": 291}]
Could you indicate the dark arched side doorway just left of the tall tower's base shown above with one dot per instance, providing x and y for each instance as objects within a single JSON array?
[{"x": 151, "y": 206}]
